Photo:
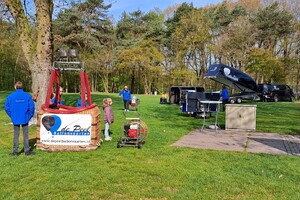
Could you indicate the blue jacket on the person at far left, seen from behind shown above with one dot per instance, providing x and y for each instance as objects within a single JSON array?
[{"x": 19, "y": 106}]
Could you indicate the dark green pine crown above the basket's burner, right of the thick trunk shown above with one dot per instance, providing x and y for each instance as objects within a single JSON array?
[{"x": 84, "y": 26}]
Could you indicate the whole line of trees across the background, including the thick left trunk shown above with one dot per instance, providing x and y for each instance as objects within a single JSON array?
[{"x": 154, "y": 50}]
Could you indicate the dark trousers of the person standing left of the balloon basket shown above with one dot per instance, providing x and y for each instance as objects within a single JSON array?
[{"x": 25, "y": 137}]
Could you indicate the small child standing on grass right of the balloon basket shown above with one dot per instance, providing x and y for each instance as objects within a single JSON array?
[{"x": 108, "y": 117}]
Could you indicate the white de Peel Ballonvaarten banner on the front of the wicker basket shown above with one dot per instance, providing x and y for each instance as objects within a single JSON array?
[{"x": 65, "y": 129}]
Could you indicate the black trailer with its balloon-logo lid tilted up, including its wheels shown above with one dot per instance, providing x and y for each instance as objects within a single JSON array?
[{"x": 234, "y": 79}]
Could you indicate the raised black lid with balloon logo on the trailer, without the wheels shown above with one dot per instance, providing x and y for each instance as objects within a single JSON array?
[{"x": 231, "y": 77}]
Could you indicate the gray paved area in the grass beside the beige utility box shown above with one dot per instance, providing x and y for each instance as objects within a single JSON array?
[{"x": 240, "y": 140}]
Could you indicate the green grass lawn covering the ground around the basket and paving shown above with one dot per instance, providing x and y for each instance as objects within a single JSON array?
[{"x": 158, "y": 170}]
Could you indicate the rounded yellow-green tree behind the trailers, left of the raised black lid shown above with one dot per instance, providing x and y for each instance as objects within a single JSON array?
[{"x": 190, "y": 40}]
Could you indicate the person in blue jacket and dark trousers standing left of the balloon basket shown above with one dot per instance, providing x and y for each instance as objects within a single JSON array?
[{"x": 19, "y": 106}]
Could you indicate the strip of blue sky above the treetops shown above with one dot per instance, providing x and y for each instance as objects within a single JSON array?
[{"x": 119, "y": 6}]
